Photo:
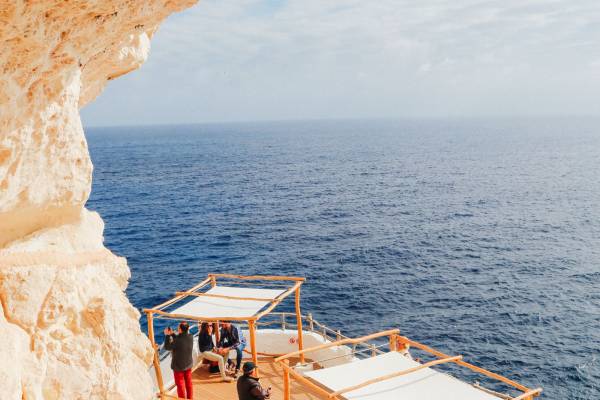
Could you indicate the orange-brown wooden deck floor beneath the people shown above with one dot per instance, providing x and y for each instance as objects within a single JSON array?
[{"x": 210, "y": 387}]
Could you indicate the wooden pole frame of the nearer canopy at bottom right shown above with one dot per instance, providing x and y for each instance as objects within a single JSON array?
[{"x": 395, "y": 340}]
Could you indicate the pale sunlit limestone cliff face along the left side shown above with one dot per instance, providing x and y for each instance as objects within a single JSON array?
[{"x": 67, "y": 328}]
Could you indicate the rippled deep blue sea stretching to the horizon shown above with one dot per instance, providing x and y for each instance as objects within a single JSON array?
[{"x": 477, "y": 237}]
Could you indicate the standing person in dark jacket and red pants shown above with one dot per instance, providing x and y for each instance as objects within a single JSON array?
[{"x": 181, "y": 346}]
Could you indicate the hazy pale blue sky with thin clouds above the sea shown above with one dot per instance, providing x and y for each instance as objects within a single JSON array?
[{"x": 242, "y": 60}]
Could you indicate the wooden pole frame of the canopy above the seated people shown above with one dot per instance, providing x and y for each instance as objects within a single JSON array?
[{"x": 195, "y": 291}]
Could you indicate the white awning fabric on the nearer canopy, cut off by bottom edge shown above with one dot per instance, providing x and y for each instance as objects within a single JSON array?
[{"x": 424, "y": 384}]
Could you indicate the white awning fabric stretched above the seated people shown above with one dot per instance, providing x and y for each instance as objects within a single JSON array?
[{"x": 214, "y": 307}]
